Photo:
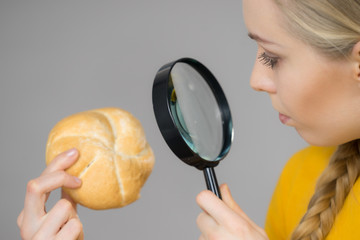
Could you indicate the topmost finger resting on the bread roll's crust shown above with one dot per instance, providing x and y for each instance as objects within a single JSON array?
[{"x": 62, "y": 161}]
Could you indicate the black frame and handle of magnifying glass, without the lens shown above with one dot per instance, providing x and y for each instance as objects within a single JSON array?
[{"x": 161, "y": 96}]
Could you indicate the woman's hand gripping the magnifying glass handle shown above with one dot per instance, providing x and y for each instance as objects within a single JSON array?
[{"x": 224, "y": 219}]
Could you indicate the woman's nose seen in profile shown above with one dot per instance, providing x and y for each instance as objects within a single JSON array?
[{"x": 262, "y": 78}]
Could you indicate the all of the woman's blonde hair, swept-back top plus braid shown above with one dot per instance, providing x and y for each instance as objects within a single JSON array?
[{"x": 331, "y": 27}]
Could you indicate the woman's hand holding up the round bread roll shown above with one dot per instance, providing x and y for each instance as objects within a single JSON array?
[{"x": 62, "y": 221}]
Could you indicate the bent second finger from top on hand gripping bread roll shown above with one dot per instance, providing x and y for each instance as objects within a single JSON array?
[{"x": 37, "y": 188}]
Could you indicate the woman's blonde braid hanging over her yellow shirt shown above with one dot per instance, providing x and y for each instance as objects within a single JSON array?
[{"x": 331, "y": 190}]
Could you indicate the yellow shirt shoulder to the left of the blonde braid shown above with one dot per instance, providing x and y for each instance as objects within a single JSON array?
[{"x": 294, "y": 189}]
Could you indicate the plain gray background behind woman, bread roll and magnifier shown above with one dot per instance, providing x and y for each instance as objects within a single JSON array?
[{"x": 61, "y": 57}]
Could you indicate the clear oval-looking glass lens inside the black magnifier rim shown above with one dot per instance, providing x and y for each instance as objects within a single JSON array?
[{"x": 196, "y": 111}]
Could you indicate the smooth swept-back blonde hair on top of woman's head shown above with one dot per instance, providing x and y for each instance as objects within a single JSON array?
[{"x": 330, "y": 26}]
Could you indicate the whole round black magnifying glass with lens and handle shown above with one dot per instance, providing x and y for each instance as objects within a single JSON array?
[{"x": 193, "y": 116}]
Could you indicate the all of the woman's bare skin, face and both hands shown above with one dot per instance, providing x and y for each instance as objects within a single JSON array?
[{"x": 319, "y": 97}]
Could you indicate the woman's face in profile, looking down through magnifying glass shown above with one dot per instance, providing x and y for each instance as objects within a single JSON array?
[{"x": 318, "y": 96}]
